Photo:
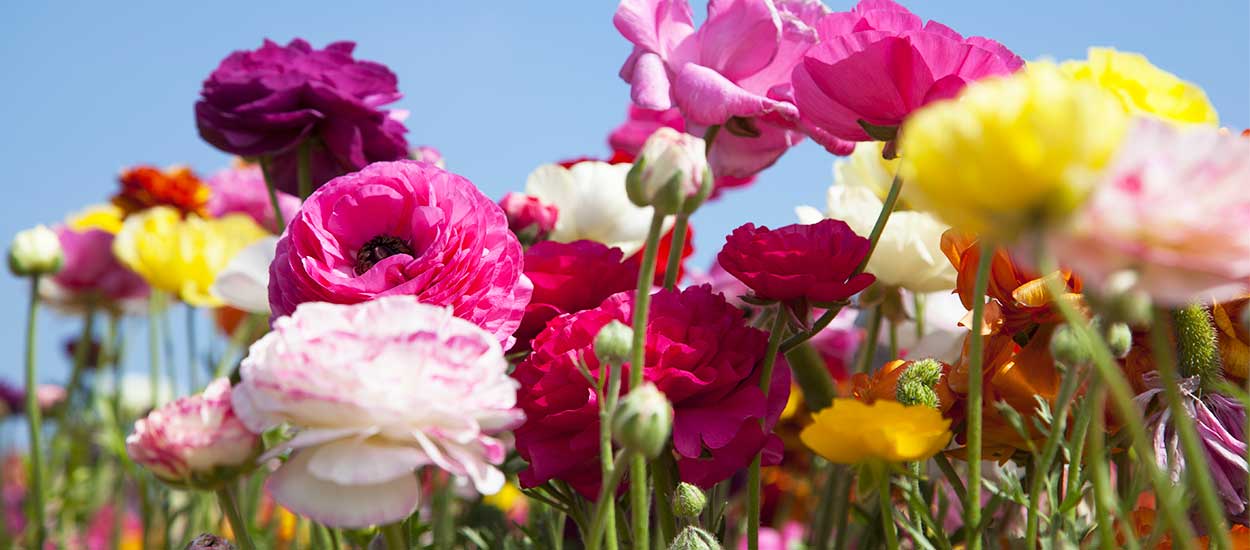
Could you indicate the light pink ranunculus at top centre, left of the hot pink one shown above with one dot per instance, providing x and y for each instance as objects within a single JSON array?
[{"x": 734, "y": 72}]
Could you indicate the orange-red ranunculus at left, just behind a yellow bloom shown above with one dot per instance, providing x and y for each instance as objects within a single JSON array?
[{"x": 147, "y": 187}]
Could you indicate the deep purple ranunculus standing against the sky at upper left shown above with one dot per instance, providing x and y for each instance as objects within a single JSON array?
[{"x": 271, "y": 101}]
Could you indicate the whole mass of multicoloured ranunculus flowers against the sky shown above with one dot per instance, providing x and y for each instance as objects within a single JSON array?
[{"x": 1089, "y": 217}]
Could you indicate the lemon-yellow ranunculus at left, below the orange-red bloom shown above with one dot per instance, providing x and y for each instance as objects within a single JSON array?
[{"x": 183, "y": 256}]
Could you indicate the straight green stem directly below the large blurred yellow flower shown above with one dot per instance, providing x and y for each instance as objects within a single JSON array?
[{"x": 973, "y": 506}]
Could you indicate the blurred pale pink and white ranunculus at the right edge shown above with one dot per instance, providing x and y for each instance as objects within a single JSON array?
[{"x": 1187, "y": 243}]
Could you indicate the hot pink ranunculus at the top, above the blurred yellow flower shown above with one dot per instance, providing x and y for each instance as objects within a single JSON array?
[{"x": 878, "y": 63}]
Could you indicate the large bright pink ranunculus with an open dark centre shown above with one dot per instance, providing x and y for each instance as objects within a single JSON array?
[{"x": 403, "y": 228}]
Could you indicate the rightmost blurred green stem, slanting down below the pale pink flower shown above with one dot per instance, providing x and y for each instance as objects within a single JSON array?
[{"x": 1197, "y": 464}]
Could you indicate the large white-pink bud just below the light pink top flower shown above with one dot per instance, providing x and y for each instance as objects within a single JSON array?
[{"x": 671, "y": 173}]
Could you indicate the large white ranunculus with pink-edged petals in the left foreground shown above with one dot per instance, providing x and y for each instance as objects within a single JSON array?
[{"x": 376, "y": 392}]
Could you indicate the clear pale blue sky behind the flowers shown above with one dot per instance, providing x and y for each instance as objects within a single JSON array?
[{"x": 499, "y": 87}]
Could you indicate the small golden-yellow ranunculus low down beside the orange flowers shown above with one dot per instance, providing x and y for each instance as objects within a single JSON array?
[{"x": 852, "y": 432}]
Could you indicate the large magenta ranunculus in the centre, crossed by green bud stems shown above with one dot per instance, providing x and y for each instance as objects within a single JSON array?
[{"x": 699, "y": 352}]
